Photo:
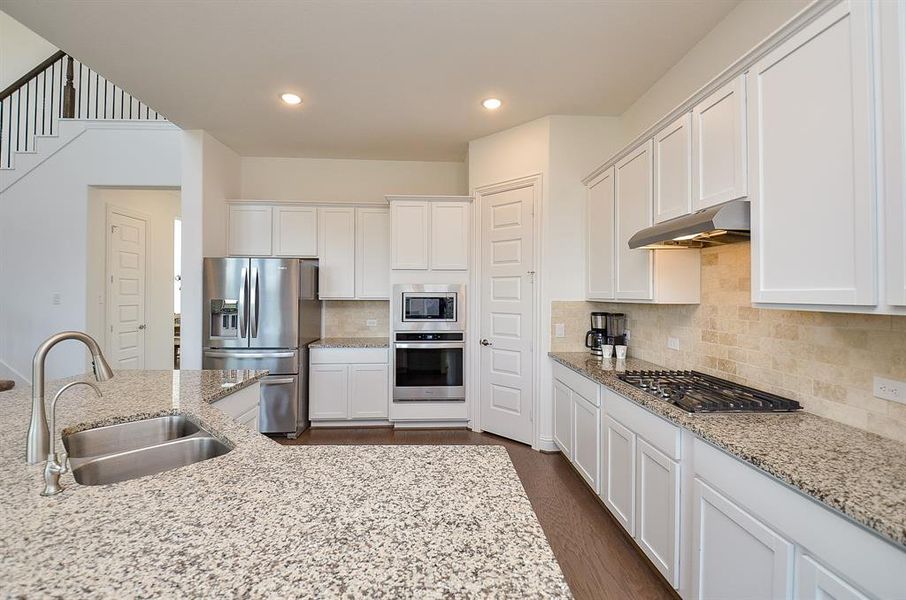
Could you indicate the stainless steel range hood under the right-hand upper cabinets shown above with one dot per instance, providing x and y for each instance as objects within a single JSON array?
[{"x": 722, "y": 224}]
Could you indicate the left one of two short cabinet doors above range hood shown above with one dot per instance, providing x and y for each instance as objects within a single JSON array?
[{"x": 673, "y": 170}]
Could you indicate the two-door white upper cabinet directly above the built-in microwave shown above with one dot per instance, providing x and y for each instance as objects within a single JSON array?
[{"x": 429, "y": 233}]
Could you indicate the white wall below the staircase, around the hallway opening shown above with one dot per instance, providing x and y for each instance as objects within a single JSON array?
[{"x": 43, "y": 234}]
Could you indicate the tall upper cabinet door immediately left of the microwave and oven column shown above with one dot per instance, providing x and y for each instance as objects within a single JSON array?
[{"x": 372, "y": 253}]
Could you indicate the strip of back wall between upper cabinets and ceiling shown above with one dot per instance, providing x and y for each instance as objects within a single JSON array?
[{"x": 337, "y": 180}]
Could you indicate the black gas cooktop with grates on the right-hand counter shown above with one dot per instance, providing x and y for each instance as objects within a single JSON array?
[{"x": 696, "y": 392}]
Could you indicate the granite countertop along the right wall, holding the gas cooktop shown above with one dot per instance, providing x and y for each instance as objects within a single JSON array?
[{"x": 855, "y": 472}]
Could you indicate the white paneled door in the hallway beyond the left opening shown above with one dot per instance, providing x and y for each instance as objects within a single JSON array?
[{"x": 126, "y": 268}]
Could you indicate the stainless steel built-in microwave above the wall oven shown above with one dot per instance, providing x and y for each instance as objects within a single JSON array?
[{"x": 429, "y": 307}]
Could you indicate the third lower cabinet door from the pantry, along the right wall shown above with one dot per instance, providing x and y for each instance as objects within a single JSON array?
[{"x": 618, "y": 476}]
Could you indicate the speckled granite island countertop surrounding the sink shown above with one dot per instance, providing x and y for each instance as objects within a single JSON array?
[{"x": 265, "y": 520}]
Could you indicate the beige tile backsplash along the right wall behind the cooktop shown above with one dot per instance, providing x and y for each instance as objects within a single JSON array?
[{"x": 826, "y": 361}]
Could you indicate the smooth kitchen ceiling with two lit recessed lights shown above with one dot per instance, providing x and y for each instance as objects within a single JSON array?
[{"x": 391, "y": 79}]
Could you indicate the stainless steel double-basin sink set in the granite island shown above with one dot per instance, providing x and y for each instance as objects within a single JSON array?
[{"x": 130, "y": 450}]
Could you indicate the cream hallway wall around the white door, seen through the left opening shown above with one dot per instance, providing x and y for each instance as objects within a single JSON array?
[{"x": 162, "y": 208}]
